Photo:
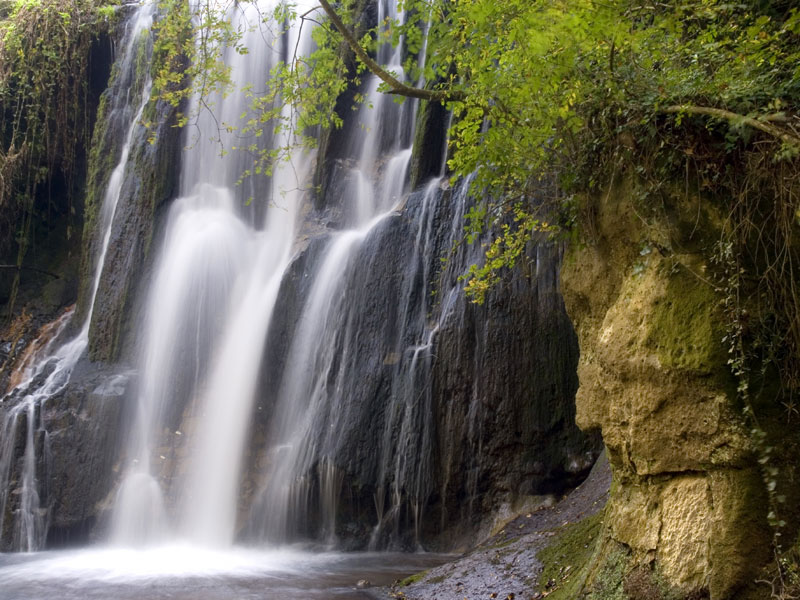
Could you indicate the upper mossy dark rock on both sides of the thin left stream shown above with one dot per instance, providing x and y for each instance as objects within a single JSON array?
[{"x": 148, "y": 181}]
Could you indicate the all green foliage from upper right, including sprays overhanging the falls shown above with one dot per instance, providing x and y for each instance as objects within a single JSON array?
[{"x": 551, "y": 98}]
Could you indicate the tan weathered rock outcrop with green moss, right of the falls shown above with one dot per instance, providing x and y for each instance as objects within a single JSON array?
[{"x": 688, "y": 498}]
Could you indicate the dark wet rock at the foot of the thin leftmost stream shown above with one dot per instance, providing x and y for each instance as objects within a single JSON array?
[{"x": 77, "y": 441}]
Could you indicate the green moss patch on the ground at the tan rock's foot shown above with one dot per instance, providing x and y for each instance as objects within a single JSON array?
[{"x": 567, "y": 559}]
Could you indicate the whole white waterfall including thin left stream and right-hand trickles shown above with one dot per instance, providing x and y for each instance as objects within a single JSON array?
[{"x": 288, "y": 354}]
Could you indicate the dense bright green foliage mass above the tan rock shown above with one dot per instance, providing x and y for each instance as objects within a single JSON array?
[{"x": 553, "y": 88}]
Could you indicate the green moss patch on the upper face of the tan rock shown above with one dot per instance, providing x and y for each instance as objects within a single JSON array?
[{"x": 686, "y": 327}]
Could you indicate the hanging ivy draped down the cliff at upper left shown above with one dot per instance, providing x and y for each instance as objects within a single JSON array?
[{"x": 44, "y": 60}]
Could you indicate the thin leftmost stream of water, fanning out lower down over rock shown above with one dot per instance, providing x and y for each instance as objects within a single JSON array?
[{"x": 50, "y": 374}]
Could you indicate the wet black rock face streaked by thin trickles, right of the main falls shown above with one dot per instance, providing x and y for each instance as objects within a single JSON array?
[{"x": 438, "y": 410}]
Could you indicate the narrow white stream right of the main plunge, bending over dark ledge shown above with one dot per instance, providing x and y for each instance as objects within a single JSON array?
[{"x": 311, "y": 385}]
